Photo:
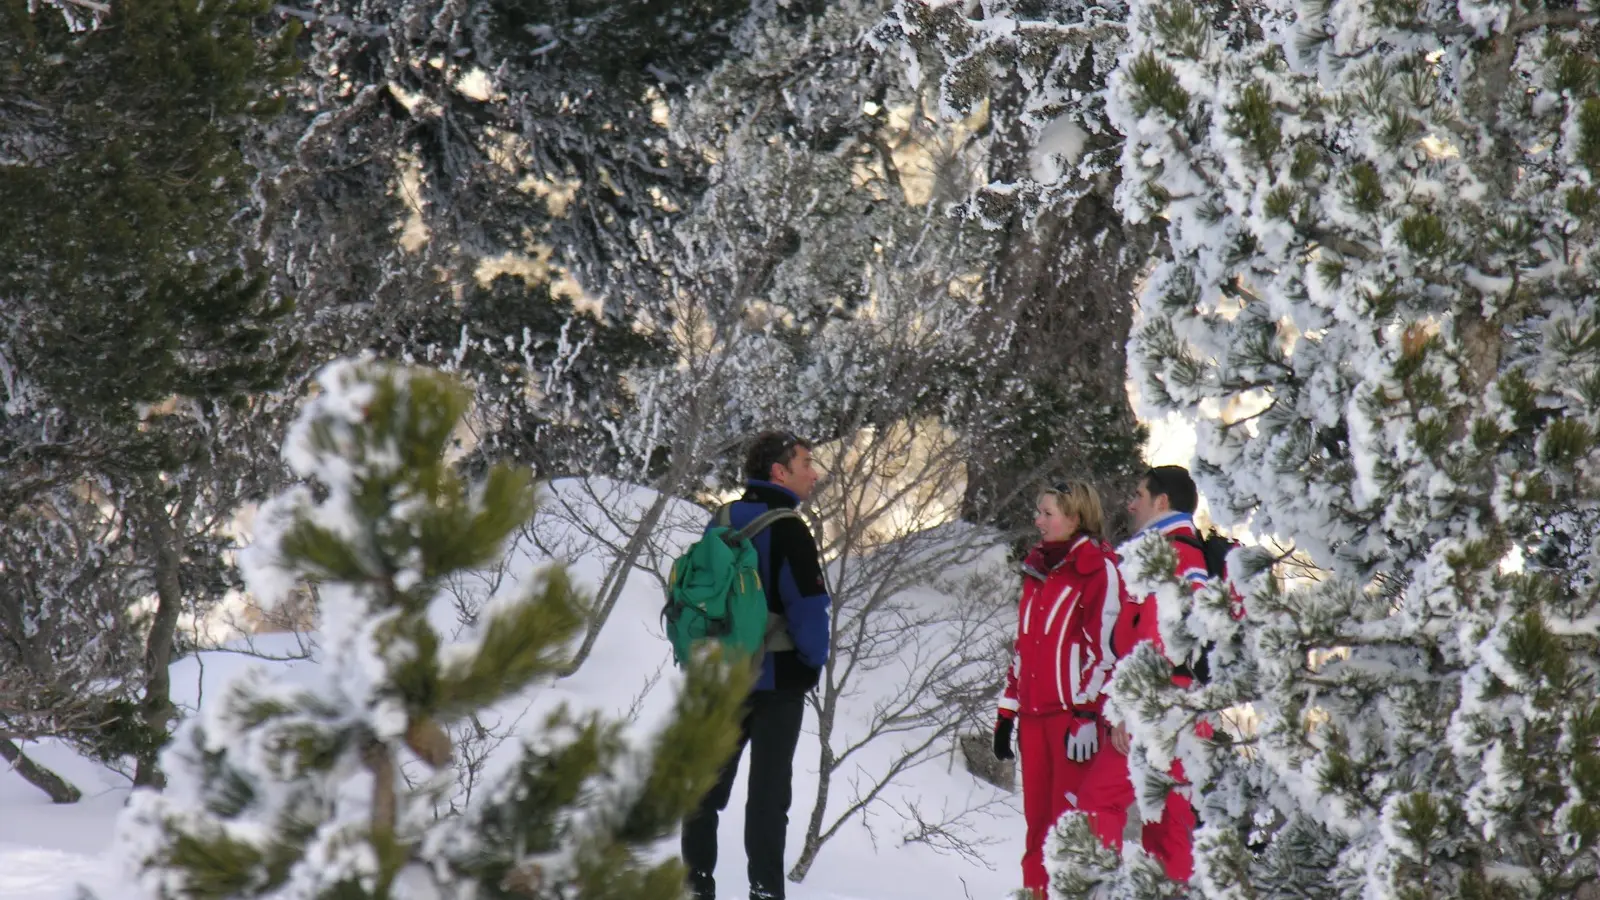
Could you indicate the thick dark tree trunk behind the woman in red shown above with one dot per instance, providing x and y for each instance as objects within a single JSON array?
[{"x": 1065, "y": 276}]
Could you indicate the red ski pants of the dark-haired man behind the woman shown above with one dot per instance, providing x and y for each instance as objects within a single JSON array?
[{"x": 1106, "y": 797}]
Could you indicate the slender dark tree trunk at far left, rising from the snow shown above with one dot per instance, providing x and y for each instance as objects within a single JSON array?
[{"x": 156, "y": 707}]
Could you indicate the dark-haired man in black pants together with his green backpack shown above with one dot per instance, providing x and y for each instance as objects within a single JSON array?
[{"x": 754, "y": 584}]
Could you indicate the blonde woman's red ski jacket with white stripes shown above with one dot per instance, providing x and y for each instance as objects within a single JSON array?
[{"x": 1063, "y": 653}]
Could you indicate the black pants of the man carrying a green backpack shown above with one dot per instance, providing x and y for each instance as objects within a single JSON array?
[{"x": 772, "y": 728}]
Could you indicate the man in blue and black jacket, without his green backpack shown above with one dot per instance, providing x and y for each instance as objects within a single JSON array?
[{"x": 780, "y": 475}]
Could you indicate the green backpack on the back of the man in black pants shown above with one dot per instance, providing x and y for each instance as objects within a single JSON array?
[{"x": 716, "y": 593}]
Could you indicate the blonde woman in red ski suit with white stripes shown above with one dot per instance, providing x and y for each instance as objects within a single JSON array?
[{"x": 1071, "y": 598}]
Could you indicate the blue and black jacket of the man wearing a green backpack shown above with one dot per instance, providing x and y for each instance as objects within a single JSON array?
[{"x": 796, "y": 590}]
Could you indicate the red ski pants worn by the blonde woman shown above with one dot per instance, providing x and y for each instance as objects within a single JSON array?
[{"x": 1050, "y": 781}]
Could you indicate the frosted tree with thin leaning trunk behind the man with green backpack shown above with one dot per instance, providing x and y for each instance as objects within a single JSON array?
[{"x": 817, "y": 283}]
